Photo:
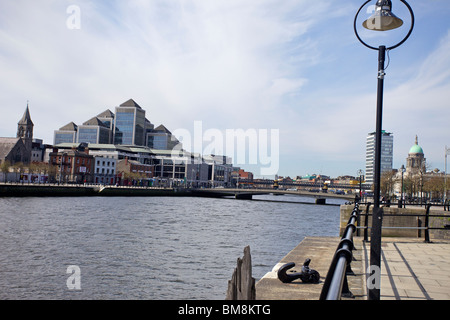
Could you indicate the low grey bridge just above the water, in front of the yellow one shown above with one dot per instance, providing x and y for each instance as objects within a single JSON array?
[{"x": 248, "y": 194}]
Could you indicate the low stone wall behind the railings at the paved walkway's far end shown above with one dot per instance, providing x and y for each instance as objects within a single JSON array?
[{"x": 406, "y": 224}]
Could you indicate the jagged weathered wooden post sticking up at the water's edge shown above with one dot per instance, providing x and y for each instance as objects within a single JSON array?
[{"x": 242, "y": 284}]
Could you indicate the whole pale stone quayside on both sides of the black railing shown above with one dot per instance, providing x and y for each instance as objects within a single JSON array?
[{"x": 411, "y": 270}]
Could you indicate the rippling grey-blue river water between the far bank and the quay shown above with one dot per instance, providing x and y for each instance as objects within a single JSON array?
[{"x": 146, "y": 248}]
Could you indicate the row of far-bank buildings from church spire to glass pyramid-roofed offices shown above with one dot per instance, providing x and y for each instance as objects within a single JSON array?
[{"x": 121, "y": 147}]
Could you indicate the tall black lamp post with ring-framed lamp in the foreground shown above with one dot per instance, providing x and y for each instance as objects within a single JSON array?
[{"x": 382, "y": 20}]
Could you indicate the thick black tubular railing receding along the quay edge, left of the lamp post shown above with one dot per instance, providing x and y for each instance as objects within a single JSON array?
[{"x": 336, "y": 284}]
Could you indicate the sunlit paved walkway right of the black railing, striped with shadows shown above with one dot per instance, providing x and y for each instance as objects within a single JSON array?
[{"x": 412, "y": 269}]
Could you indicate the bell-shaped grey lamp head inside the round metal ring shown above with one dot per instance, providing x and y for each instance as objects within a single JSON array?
[{"x": 383, "y": 19}]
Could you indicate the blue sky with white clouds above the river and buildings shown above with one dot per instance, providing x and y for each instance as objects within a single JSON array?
[{"x": 293, "y": 68}]
